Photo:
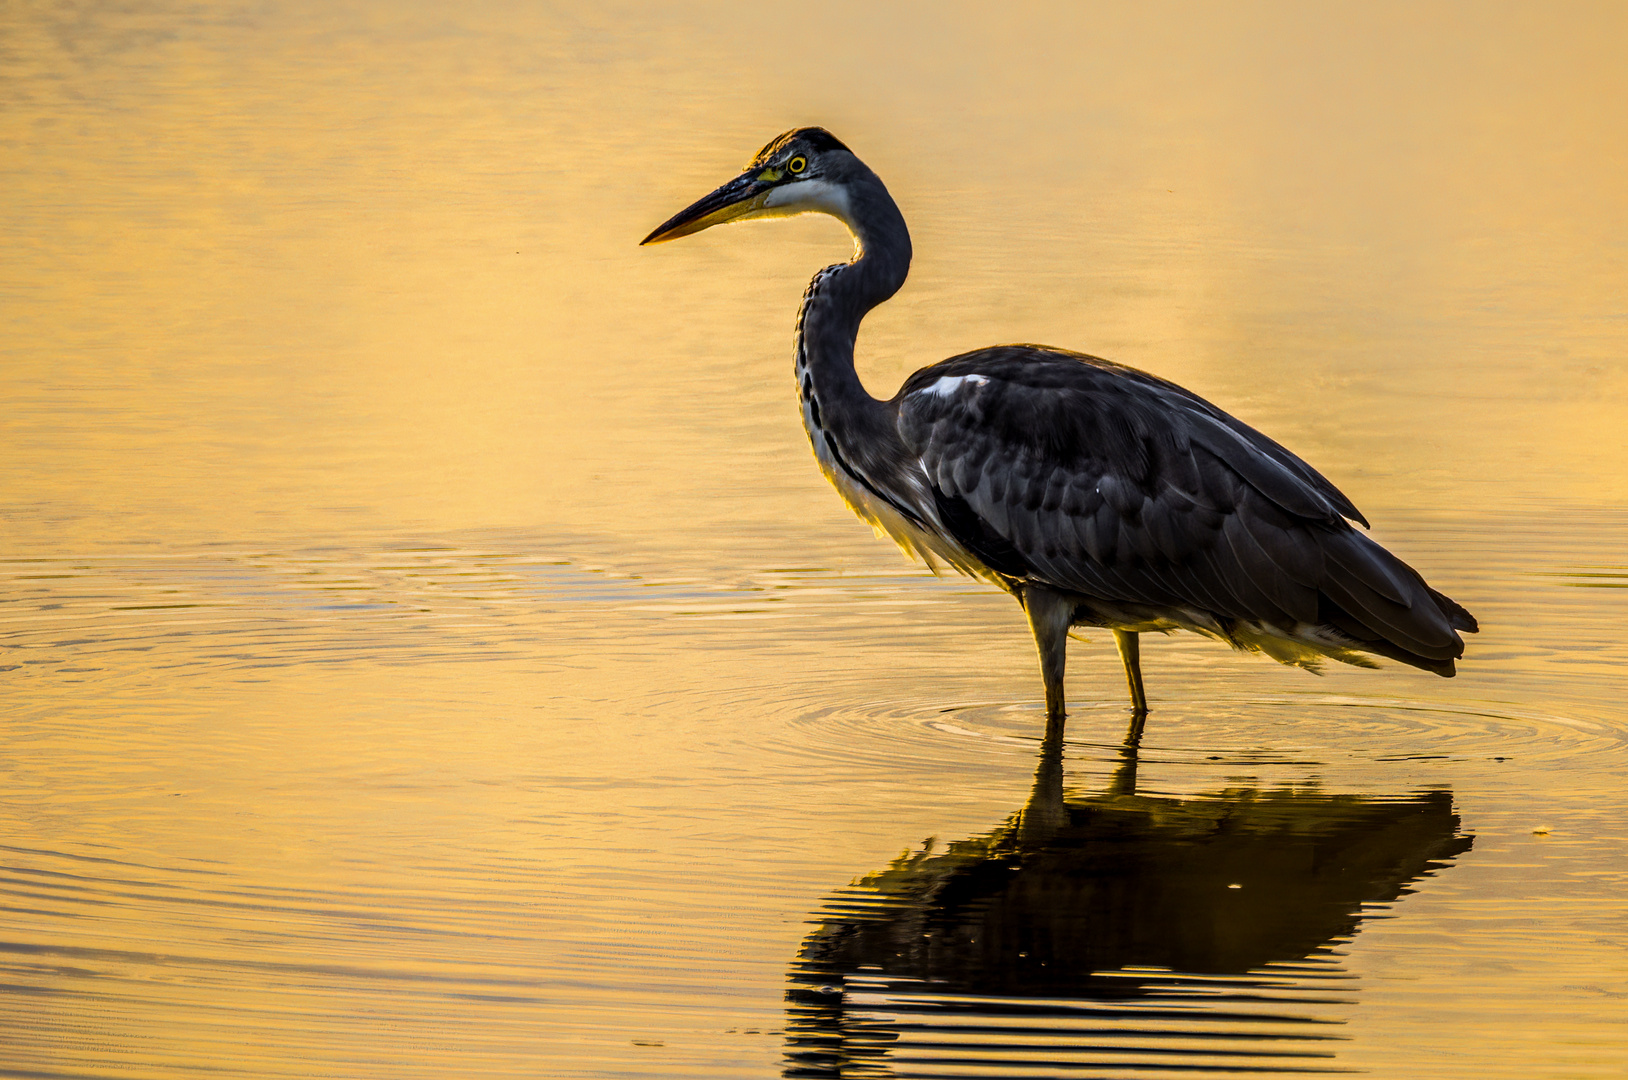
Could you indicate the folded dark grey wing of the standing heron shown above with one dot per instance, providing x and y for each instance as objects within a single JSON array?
[{"x": 1114, "y": 485}]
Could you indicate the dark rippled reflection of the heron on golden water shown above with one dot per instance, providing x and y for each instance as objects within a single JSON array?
[{"x": 1118, "y": 934}]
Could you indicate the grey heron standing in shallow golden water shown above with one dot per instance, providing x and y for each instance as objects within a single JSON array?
[{"x": 1093, "y": 493}]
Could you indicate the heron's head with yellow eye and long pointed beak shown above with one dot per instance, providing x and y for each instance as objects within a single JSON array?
[{"x": 802, "y": 172}]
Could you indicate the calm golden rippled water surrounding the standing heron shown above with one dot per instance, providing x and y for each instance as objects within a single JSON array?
[{"x": 429, "y": 651}]
